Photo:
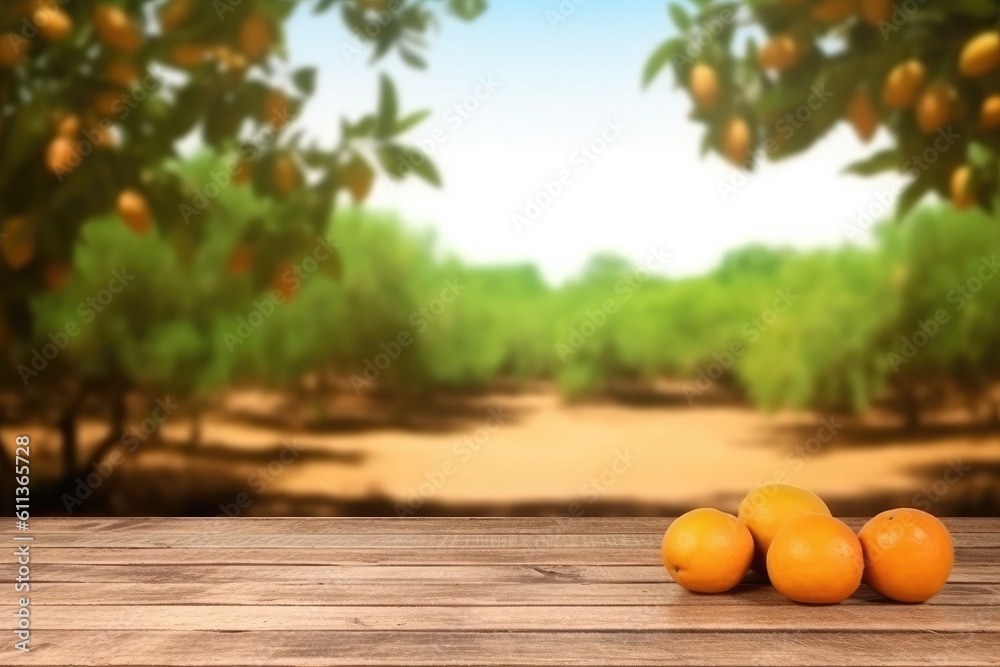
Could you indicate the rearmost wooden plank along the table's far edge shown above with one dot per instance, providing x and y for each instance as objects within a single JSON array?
[{"x": 407, "y": 526}]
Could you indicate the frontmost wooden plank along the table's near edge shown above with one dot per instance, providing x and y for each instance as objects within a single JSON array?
[{"x": 518, "y": 649}]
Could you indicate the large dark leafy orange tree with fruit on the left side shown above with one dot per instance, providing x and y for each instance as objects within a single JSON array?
[{"x": 95, "y": 98}]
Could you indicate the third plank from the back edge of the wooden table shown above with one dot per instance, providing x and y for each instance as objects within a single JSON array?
[{"x": 391, "y": 556}]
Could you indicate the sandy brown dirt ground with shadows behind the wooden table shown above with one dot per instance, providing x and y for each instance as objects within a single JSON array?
[{"x": 533, "y": 454}]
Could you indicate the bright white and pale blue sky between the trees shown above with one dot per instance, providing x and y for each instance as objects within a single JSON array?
[{"x": 552, "y": 89}]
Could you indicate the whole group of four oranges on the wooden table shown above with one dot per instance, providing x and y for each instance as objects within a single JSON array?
[{"x": 788, "y": 535}]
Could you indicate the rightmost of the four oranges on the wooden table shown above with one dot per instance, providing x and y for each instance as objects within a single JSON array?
[{"x": 908, "y": 554}]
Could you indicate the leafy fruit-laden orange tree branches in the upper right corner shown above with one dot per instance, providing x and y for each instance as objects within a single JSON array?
[{"x": 770, "y": 77}]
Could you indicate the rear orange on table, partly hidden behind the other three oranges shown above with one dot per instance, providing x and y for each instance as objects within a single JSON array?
[{"x": 769, "y": 507}]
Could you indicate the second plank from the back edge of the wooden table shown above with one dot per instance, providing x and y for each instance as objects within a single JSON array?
[{"x": 332, "y": 539}]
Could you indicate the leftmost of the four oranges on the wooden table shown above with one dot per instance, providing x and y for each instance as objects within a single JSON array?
[{"x": 707, "y": 551}]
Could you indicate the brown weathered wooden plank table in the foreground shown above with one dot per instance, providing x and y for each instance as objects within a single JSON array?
[{"x": 453, "y": 592}]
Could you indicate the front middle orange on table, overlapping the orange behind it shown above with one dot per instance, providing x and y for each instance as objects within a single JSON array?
[{"x": 815, "y": 559}]
